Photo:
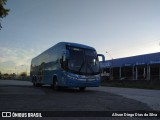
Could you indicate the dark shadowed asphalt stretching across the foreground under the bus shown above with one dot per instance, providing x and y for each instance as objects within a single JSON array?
[{"x": 22, "y": 96}]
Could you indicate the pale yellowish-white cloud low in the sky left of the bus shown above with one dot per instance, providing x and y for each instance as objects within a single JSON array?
[{"x": 12, "y": 59}]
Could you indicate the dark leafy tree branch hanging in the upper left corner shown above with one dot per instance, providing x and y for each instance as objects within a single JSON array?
[{"x": 3, "y": 11}]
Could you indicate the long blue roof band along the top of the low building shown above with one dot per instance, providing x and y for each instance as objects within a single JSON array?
[{"x": 153, "y": 58}]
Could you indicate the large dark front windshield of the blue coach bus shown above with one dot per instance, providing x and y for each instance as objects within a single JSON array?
[{"x": 83, "y": 61}]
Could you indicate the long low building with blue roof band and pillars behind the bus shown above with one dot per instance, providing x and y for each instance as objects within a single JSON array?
[{"x": 141, "y": 67}]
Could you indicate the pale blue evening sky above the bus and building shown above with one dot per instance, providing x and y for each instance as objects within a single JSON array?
[{"x": 115, "y": 28}]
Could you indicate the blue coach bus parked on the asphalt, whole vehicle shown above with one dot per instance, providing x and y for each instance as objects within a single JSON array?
[{"x": 67, "y": 65}]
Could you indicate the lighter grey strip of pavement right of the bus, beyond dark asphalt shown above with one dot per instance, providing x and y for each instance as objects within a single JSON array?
[{"x": 150, "y": 97}]
